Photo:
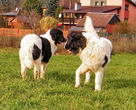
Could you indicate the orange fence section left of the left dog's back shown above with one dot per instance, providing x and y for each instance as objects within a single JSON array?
[{"x": 14, "y": 32}]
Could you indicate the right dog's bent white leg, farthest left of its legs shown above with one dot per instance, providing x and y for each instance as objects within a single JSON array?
[{"x": 82, "y": 69}]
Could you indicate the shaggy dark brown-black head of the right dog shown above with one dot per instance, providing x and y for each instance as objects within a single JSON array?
[{"x": 75, "y": 42}]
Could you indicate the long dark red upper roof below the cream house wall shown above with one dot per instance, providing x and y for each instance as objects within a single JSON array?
[{"x": 85, "y": 9}]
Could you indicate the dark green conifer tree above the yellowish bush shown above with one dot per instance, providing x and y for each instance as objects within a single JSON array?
[{"x": 52, "y": 6}]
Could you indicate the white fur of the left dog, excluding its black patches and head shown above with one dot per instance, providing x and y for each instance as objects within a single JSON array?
[{"x": 25, "y": 54}]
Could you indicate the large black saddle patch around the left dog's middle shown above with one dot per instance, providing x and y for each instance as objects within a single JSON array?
[{"x": 46, "y": 50}]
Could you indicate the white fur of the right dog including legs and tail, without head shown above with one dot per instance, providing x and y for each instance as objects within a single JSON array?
[{"x": 92, "y": 56}]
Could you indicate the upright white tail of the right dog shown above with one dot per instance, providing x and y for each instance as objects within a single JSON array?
[{"x": 88, "y": 26}]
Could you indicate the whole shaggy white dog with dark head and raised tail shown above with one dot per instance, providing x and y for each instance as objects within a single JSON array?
[{"x": 94, "y": 52}]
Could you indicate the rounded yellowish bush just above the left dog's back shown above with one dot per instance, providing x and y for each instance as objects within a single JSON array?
[{"x": 47, "y": 23}]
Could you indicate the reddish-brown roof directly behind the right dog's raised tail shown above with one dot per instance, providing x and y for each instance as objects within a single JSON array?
[{"x": 100, "y": 19}]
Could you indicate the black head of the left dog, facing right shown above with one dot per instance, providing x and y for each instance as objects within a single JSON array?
[{"x": 57, "y": 36}]
